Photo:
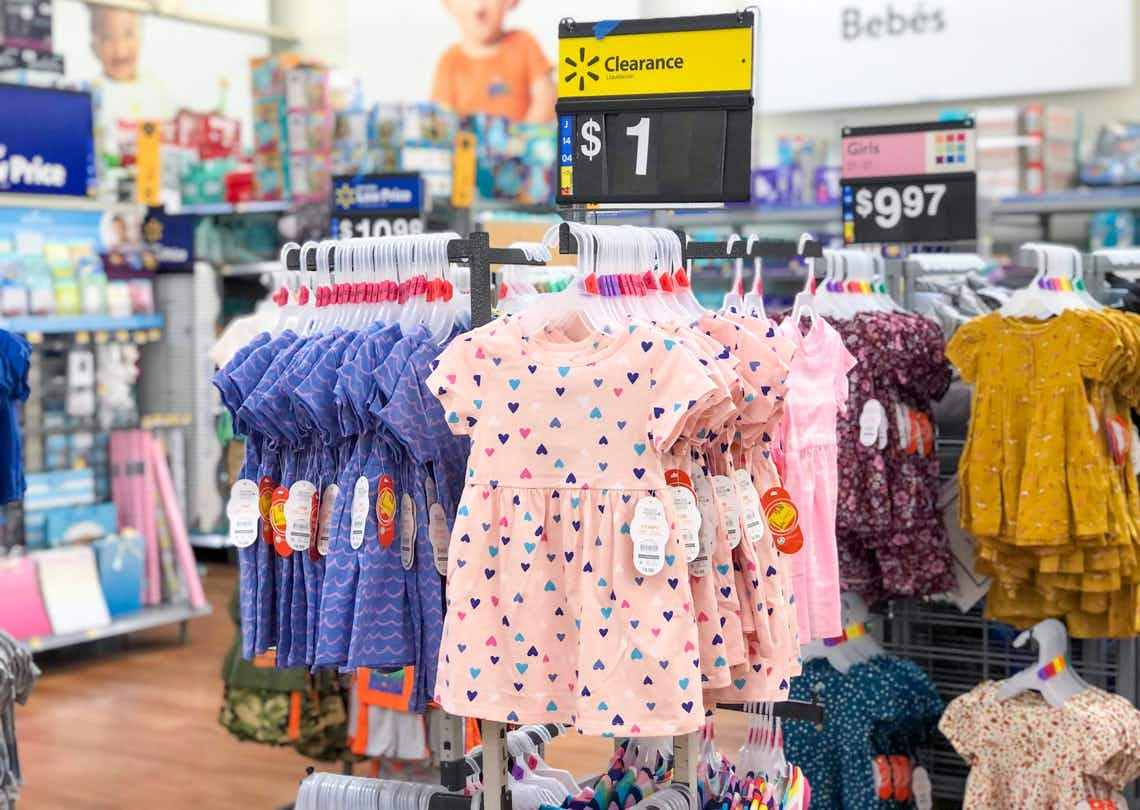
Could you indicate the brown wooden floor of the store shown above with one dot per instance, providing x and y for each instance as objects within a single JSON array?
[{"x": 139, "y": 730}]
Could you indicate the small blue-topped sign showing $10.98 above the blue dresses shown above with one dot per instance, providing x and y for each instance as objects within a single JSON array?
[{"x": 377, "y": 206}]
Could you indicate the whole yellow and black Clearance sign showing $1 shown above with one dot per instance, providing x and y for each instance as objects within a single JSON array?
[{"x": 656, "y": 111}]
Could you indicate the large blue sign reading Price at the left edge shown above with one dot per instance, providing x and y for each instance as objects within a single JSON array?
[{"x": 47, "y": 142}]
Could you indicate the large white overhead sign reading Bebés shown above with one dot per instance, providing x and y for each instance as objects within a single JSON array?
[{"x": 834, "y": 54}]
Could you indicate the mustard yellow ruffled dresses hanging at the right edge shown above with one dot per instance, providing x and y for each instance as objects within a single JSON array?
[{"x": 1057, "y": 520}]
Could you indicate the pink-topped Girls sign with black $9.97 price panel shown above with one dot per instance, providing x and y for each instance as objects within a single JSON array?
[{"x": 913, "y": 183}]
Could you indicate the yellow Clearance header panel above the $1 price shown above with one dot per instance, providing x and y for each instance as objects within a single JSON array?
[{"x": 650, "y": 64}]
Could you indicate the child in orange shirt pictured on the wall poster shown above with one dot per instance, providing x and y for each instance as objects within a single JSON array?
[{"x": 492, "y": 70}]
